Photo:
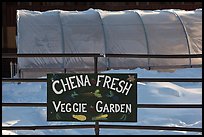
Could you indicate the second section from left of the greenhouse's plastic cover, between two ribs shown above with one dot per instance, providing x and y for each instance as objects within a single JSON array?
[{"x": 82, "y": 33}]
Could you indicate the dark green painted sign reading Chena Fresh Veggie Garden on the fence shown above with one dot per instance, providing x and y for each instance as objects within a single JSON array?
[{"x": 92, "y": 97}]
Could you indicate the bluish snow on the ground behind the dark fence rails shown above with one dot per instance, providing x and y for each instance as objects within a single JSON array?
[{"x": 148, "y": 92}]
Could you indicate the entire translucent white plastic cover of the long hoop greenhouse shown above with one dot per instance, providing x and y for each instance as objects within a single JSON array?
[{"x": 109, "y": 32}]
